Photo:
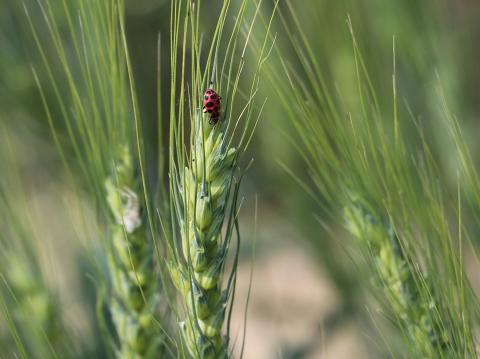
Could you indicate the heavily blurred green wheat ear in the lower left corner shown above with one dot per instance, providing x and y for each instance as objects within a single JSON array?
[{"x": 30, "y": 307}]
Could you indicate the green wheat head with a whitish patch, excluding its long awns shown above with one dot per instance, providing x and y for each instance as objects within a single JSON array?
[{"x": 134, "y": 296}]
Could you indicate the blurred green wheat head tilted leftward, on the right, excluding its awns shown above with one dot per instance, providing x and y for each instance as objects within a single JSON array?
[{"x": 399, "y": 282}]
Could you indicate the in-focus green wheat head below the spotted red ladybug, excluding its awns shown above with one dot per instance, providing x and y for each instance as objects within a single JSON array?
[{"x": 204, "y": 187}]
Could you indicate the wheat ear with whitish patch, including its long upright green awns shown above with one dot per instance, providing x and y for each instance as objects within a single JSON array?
[{"x": 96, "y": 107}]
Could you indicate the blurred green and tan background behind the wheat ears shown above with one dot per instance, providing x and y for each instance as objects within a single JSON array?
[{"x": 307, "y": 301}]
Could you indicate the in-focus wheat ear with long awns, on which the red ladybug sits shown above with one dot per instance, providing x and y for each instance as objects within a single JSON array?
[{"x": 205, "y": 172}]
